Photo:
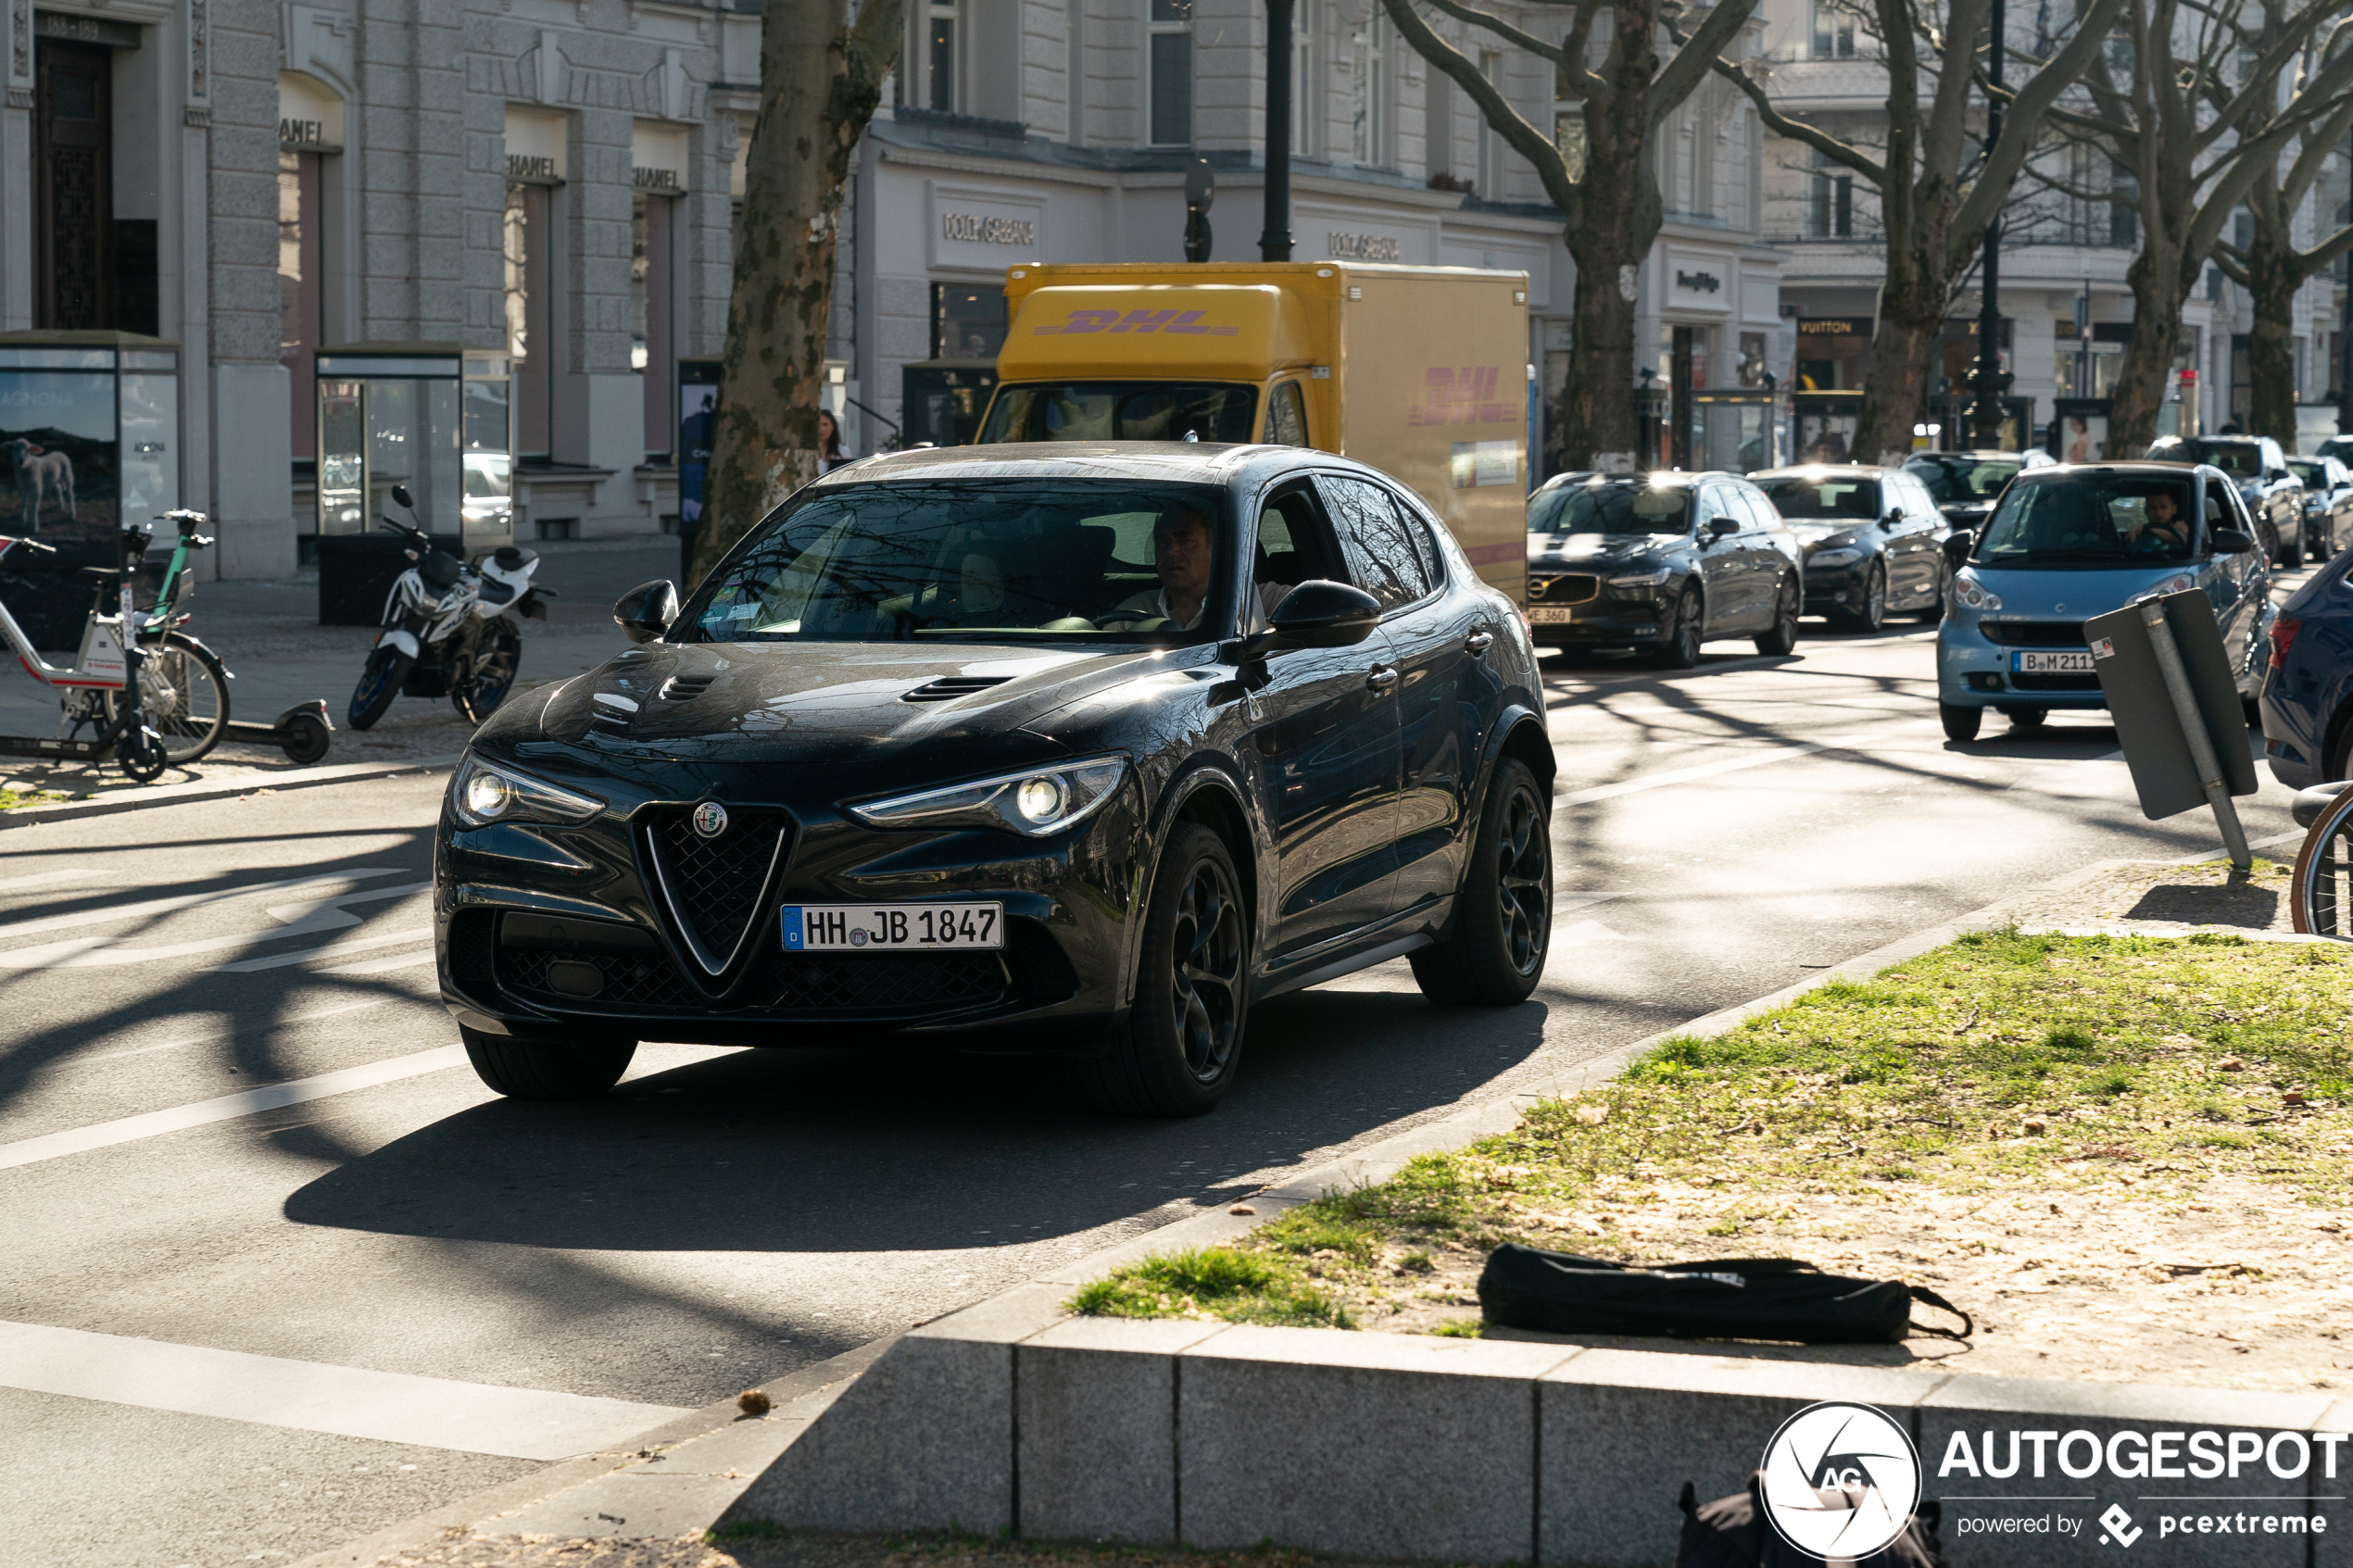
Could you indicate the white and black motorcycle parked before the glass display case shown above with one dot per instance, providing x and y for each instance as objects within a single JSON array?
[{"x": 451, "y": 626}]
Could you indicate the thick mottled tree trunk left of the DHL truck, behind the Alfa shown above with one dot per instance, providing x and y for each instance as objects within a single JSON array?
[{"x": 820, "y": 83}]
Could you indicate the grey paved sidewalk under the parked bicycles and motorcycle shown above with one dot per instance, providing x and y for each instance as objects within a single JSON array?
[{"x": 276, "y": 650}]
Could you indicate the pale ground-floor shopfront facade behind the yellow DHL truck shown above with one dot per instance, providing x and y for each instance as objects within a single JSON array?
[{"x": 942, "y": 215}]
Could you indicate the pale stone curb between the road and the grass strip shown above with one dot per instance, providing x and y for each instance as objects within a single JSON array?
[{"x": 1018, "y": 1308}]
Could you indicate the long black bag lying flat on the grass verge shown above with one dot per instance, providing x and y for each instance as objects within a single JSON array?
[{"x": 1719, "y": 1299}]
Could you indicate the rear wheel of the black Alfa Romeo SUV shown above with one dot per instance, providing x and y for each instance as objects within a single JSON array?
[{"x": 1505, "y": 911}]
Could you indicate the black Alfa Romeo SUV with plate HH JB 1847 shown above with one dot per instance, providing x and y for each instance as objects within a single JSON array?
[{"x": 1013, "y": 749}]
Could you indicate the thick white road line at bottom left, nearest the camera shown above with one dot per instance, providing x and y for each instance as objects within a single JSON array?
[{"x": 319, "y": 1398}]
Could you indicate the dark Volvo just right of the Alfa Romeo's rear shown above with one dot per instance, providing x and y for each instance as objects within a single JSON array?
[{"x": 1660, "y": 563}]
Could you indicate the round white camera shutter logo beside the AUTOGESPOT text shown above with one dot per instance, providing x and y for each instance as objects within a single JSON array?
[{"x": 1841, "y": 1480}]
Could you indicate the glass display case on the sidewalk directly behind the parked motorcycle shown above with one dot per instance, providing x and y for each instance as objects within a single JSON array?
[{"x": 432, "y": 417}]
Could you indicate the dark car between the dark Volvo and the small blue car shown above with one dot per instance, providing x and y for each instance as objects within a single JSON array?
[{"x": 1872, "y": 540}]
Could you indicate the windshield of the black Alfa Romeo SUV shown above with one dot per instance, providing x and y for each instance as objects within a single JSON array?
[{"x": 982, "y": 561}]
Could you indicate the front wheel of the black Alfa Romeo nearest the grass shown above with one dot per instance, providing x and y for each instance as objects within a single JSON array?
[{"x": 1182, "y": 1043}]
